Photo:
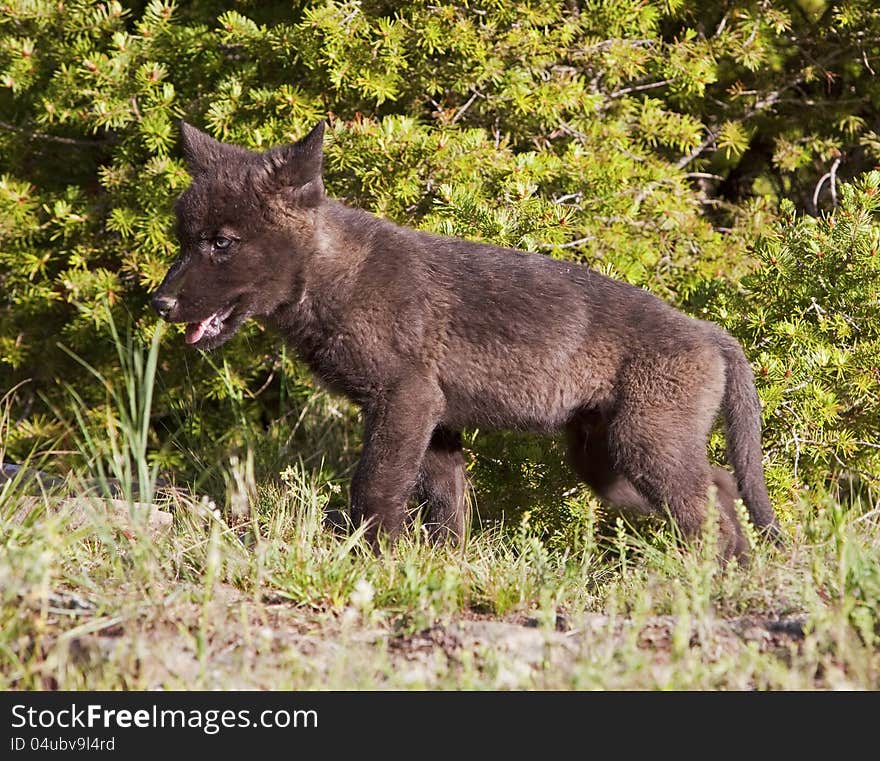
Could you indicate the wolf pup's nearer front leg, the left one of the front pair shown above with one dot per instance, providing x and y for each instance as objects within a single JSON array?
[{"x": 398, "y": 425}]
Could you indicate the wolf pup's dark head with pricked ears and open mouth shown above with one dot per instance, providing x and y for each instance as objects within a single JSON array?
[{"x": 244, "y": 226}]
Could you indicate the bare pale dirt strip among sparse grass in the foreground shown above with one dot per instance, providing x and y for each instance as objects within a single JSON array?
[{"x": 234, "y": 643}]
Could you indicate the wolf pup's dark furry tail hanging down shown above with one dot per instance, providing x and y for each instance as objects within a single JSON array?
[{"x": 742, "y": 418}]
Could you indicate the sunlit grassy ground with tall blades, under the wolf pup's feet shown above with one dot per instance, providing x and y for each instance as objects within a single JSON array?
[{"x": 257, "y": 591}]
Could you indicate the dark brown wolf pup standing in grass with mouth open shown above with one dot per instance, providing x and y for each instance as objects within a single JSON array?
[{"x": 429, "y": 334}]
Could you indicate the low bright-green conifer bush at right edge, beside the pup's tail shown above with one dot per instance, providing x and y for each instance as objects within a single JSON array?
[{"x": 809, "y": 316}]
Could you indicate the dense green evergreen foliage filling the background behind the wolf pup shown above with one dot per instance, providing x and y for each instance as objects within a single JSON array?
[{"x": 651, "y": 140}]
